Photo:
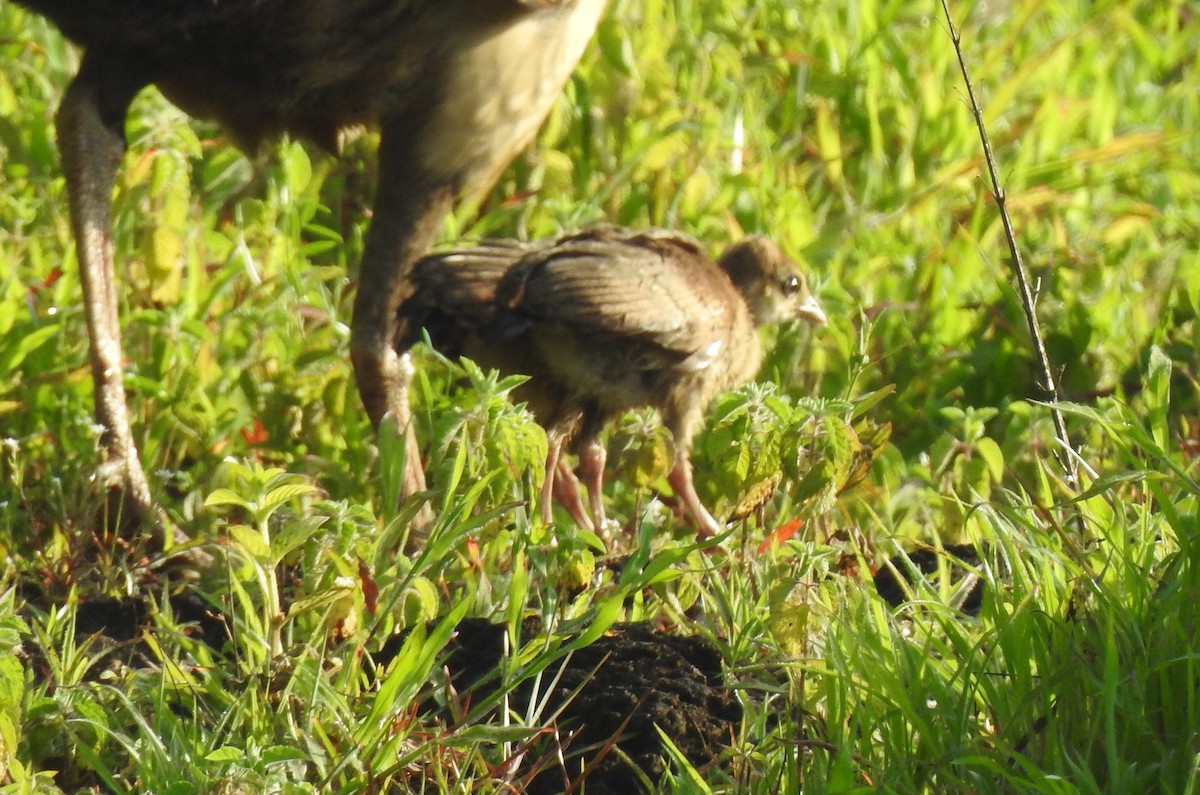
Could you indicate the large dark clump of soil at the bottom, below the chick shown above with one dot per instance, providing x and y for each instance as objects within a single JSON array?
[{"x": 605, "y": 704}]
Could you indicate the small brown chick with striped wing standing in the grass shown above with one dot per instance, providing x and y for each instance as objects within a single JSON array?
[{"x": 613, "y": 320}]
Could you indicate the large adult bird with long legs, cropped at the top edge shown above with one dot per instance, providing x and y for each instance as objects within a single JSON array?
[{"x": 457, "y": 88}]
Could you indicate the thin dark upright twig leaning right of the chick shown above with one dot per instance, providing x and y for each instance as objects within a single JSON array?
[{"x": 1067, "y": 456}]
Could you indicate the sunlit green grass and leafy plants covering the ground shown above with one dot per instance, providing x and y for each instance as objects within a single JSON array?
[{"x": 911, "y": 420}]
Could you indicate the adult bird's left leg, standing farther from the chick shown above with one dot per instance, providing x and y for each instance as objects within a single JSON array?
[{"x": 92, "y": 142}]
